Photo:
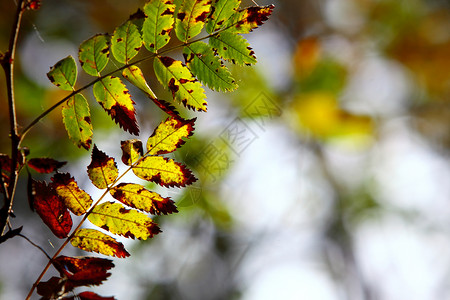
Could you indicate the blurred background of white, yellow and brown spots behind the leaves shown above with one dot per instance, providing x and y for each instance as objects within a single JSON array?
[{"x": 325, "y": 176}]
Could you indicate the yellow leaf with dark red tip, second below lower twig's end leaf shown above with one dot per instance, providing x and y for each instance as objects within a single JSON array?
[{"x": 136, "y": 196}]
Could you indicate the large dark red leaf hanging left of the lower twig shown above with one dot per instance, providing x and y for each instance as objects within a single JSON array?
[{"x": 51, "y": 209}]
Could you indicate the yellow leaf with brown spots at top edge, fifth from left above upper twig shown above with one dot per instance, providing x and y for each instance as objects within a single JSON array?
[{"x": 190, "y": 18}]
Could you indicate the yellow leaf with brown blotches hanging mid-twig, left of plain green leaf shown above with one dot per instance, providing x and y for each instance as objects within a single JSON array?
[{"x": 184, "y": 87}]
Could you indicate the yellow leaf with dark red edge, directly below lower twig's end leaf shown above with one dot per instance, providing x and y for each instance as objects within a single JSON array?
[{"x": 163, "y": 171}]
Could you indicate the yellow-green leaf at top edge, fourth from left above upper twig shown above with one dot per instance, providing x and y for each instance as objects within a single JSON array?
[{"x": 158, "y": 24}]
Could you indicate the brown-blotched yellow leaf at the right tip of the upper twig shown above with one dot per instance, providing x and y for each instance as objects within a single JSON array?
[{"x": 249, "y": 18}]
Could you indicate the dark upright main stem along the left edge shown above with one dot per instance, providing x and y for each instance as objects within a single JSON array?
[{"x": 8, "y": 67}]
